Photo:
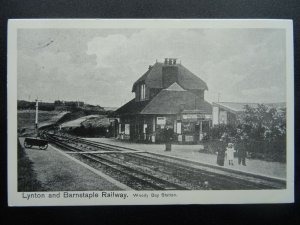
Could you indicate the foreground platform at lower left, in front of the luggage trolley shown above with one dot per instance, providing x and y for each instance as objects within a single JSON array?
[{"x": 58, "y": 172}]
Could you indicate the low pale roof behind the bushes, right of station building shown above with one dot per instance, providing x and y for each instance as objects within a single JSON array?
[{"x": 237, "y": 107}]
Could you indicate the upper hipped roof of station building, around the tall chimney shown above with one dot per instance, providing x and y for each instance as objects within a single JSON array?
[{"x": 186, "y": 79}]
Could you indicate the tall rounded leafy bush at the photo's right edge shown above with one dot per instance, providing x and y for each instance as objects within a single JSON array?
[{"x": 263, "y": 130}]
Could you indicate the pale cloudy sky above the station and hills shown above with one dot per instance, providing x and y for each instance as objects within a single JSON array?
[{"x": 99, "y": 66}]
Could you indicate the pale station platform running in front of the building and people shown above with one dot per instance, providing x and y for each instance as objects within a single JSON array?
[{"x": 192, "y": 152}]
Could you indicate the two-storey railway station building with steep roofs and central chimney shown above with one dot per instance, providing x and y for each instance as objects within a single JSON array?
[{"x": 167, "y": 96}]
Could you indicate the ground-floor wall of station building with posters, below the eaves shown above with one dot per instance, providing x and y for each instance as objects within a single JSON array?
[{"x": 151, "y": 128}]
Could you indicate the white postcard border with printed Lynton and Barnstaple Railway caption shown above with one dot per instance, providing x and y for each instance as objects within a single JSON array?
[{"x": 16, "y": 198}]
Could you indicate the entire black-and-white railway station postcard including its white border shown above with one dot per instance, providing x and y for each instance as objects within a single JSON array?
[{"x": 143, "y": 112}]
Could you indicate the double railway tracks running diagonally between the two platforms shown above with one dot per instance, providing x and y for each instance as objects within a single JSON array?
[{"x": 170, "y": 172}]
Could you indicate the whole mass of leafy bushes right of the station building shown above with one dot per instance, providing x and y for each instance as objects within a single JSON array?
[{"x": 261, "y": 131}]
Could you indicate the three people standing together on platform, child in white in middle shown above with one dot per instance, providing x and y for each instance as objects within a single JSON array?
[{"x": 227, "y": 152}]
